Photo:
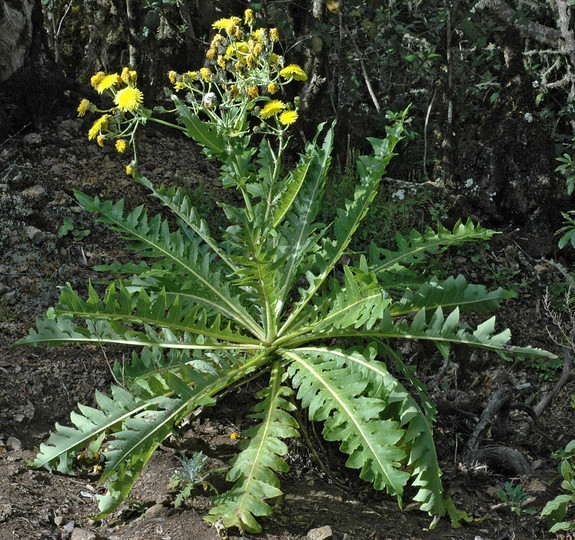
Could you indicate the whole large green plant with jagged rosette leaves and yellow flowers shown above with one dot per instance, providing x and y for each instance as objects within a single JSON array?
[{"x": 276, "y": 298}]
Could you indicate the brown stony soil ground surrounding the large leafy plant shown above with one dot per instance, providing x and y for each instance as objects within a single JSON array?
[{"x": 40, "y": 386}]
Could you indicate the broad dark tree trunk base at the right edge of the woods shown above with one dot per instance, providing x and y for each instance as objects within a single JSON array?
[{"x": 509, "y": 176}]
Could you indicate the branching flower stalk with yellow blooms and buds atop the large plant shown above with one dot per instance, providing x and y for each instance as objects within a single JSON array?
[{"x": 244, "y": 76}]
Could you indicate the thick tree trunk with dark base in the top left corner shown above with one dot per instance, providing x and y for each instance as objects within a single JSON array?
[{"x": 31, "y": 84}]
